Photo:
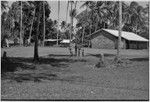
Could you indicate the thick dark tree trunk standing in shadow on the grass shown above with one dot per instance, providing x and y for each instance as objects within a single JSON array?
[{"x": 36, "y": 56}]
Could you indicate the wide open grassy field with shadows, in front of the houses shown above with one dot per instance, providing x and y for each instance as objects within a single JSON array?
[{"x": 59, "y": 76}]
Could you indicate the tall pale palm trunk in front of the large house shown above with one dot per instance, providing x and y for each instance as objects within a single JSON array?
[{"x": 120, "y": 28}]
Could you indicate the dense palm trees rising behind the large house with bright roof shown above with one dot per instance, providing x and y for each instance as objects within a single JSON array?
[{"x": 105, "y": 14}]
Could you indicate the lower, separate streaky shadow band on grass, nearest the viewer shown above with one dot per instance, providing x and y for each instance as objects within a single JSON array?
[{"x": 39, "y": 77}]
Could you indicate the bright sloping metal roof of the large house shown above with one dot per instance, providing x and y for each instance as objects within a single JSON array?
[{"x": 126, "y": 35}]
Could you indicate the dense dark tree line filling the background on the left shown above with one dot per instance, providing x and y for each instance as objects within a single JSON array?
[{"x": 27, "y": 13}]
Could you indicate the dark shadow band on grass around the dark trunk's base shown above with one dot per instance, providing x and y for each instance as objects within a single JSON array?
[{"x": 15, "y": 63}]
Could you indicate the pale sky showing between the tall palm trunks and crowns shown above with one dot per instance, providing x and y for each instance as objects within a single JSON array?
[{"x": 63, "y": 7}]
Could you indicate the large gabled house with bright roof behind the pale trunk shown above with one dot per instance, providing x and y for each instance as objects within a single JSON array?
[{"x": 108, "y": 39}]
